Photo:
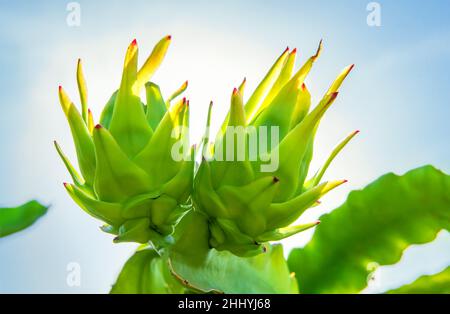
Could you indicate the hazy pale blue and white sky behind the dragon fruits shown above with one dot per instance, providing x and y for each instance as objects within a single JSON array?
[{"x": 398, "y": 96}]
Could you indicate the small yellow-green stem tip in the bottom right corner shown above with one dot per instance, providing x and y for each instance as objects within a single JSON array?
[{"x": 430, "y": 284}]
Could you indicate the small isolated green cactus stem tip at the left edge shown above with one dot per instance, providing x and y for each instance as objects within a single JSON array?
[{"x": 14, "y": 219}]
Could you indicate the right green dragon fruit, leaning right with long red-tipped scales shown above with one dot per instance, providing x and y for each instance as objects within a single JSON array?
[{"x": 252, "y": 200}]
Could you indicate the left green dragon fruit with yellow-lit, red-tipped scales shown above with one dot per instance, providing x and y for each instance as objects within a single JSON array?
[{"x": 129, "y": 178}]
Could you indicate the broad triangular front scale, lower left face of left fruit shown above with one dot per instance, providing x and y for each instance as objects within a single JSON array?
[{"x": 117, "y": 177}]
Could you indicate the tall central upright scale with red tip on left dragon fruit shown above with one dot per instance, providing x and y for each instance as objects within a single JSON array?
[{"x": 128, "y": 123}]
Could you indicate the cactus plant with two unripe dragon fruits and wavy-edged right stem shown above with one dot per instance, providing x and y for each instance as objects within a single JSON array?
[{"x": 210, "y": 234}]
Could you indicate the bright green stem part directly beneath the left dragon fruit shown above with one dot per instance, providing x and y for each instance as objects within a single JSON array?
[{"x": 146, "y": 272}]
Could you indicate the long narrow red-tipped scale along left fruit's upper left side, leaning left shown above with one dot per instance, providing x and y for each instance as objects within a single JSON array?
[{"x": 81, "y": 137}]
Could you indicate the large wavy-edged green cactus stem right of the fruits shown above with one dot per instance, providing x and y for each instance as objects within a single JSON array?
[{"x": 373, "y": 227}]
